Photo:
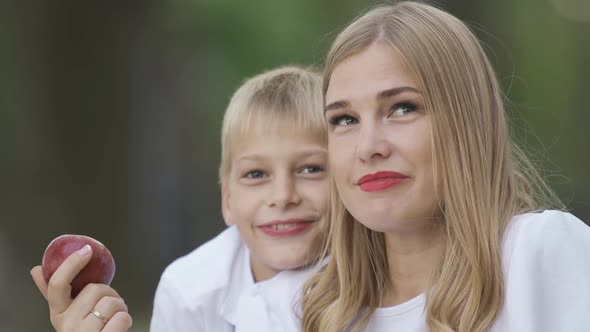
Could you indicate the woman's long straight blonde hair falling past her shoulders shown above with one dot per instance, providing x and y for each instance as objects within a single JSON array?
[{"x": 485, "y": 179}]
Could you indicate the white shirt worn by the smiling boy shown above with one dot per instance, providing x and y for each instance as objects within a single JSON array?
[{"x": 212, "y": 290}]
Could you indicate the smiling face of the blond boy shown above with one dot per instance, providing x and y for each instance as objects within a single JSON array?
[{"x": 277, "y": 196}]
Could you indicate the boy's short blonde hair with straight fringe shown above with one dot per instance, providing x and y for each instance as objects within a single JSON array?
[{"x": 285, "y": 100}]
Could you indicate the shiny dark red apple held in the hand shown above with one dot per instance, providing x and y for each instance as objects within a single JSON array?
[{"x": 100, "y": 268}]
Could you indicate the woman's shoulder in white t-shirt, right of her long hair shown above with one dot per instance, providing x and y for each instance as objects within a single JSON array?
[{"x": 546, "y": 264}]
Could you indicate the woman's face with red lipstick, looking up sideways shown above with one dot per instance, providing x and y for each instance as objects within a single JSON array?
[{"x": 380, "y": 149}]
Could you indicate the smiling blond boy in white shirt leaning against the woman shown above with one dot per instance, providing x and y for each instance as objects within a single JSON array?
[{"x": 274, "y": 196}]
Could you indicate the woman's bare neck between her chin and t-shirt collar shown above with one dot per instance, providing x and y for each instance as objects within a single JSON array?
[{"x": 411, "y": 258}]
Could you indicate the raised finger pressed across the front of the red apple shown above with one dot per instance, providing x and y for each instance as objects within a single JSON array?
[{"x": 59, "y": 290}]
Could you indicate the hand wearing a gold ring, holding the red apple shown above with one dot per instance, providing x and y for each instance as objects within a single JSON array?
[{"x": 98, "y": 307}]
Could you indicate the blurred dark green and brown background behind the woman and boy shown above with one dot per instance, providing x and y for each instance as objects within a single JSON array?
[{"x": 110, "y": 114}]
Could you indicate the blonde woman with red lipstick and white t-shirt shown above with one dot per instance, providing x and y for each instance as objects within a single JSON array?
[{"x": 438, "y": 221}]
